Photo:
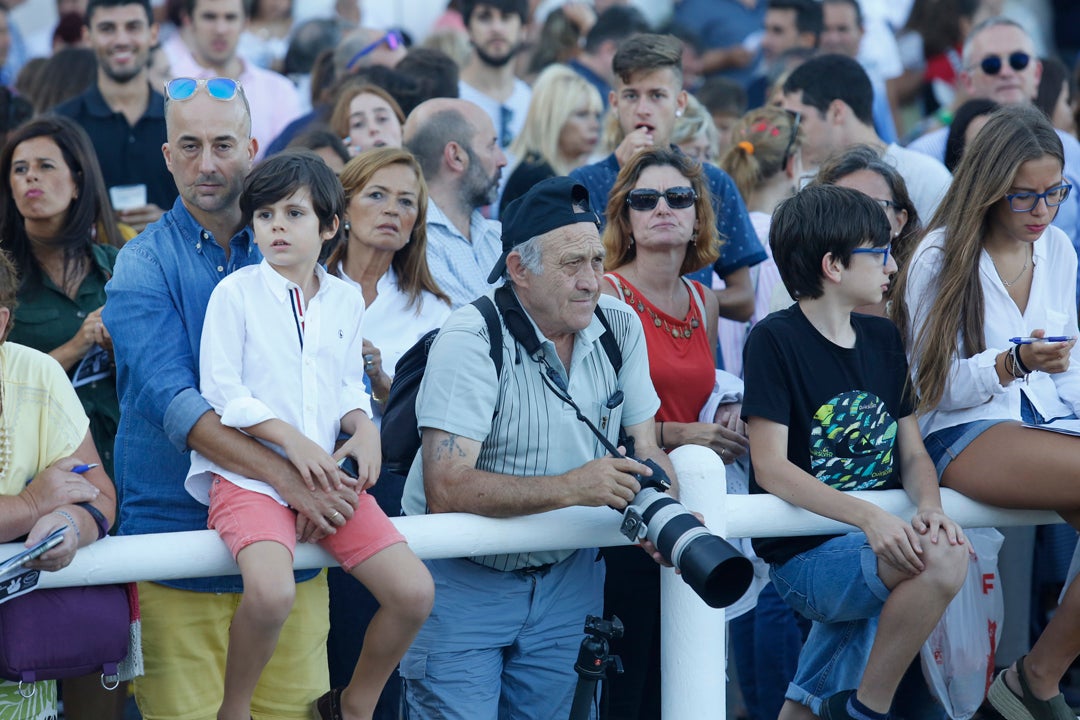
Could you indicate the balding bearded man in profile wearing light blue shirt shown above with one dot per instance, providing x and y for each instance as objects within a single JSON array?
[{"x": 463, "y": 161}]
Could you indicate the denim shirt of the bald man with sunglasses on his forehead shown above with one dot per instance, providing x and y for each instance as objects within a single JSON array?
[{"x": 155, "y": 310}]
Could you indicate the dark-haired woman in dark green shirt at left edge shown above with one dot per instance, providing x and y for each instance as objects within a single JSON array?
[{"x": 58, "y": 226}]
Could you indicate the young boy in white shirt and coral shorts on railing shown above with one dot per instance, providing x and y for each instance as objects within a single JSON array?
[{"x": 281, "y": 359}]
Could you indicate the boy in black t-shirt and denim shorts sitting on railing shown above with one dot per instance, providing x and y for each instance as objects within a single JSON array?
[{"x": 828, "y": 413}]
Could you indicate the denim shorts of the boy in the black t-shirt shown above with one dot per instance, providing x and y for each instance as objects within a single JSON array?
[{"x": 835, "y": 586}]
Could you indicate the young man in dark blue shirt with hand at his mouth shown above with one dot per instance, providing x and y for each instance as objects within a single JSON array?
[{"x": 647, "y": 99}]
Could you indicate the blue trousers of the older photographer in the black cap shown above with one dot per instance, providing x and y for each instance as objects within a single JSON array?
[{"x": 502, "y": 645}]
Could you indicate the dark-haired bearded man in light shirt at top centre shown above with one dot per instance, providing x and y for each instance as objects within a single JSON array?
[{"x": 495, "y": 32}]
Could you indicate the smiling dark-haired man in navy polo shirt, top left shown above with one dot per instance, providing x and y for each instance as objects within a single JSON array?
[{"x": 123, "y": 114}]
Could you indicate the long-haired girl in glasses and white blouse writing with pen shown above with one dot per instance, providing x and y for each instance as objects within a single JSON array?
[{"x": 987, "y": 307}]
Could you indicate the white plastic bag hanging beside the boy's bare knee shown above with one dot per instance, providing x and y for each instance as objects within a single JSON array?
[{"x": 958, "y": 657}]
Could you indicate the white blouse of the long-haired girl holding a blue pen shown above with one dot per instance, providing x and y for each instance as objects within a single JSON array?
[{"x": 973, "y": 391}]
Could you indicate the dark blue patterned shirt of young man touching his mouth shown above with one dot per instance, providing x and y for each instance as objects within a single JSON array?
[{"x": 741, "y": 248}]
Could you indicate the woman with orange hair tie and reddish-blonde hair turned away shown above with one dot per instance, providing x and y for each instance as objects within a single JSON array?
[{"x": 766, "y": 164}]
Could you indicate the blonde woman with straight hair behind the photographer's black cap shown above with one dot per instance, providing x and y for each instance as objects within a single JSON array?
[{"x": 561, "y": 132}]
